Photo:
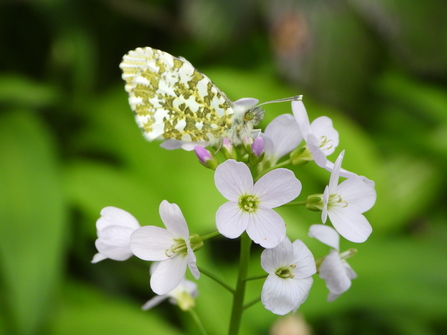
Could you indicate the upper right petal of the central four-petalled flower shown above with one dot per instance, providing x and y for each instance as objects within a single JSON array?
[{"x": 277, "y": 188}]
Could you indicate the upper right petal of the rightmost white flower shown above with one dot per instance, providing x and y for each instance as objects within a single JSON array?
[{"x": 359, "y": 195}]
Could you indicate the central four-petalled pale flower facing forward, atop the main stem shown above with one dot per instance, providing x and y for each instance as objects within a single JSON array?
[{"x": 250, "y": 206}]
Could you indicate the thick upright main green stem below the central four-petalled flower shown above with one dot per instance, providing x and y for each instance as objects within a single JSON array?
[{"x": 238, "y": 298}]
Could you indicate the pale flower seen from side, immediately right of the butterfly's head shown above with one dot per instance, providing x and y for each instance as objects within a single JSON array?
[{"x": 281, "y": 136}]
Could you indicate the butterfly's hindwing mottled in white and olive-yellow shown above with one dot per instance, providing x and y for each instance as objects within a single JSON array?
[{"x": 172, "y": 100}]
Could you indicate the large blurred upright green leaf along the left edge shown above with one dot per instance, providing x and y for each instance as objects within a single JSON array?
[{"x": 32, "y": 222}]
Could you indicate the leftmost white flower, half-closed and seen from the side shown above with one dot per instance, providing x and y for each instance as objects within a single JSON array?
[{"x": 114, "y": 228}]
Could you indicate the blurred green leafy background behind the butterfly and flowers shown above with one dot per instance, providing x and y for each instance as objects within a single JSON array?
[{"x": 69, "y": 146}]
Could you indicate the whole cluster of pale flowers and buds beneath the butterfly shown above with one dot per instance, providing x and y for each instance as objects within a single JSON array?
[{"x": 252, "y": 178}]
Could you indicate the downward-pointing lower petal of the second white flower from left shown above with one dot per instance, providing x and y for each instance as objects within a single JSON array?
[{"x": 168, "y": 275}]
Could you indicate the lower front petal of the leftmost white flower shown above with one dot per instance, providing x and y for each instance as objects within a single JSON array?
[{"x": 114, "y": 242}]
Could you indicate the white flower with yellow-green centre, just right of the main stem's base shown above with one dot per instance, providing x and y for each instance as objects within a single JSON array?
[{"x": 290, "y": 267}]
